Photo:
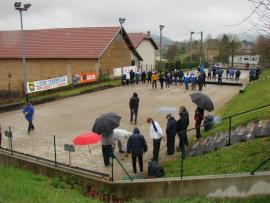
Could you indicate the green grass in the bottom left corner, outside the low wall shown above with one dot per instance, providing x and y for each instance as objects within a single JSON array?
[{"x": 22, "y": 186}]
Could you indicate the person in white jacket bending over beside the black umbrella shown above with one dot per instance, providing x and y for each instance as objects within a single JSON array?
[{"x": 121, "y": 136}]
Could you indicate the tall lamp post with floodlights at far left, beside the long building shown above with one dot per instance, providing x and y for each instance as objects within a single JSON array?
[{"x": 18, "y": 6}]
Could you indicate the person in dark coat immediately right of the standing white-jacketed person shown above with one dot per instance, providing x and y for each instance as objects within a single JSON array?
[{"x": 171, "y": 132}]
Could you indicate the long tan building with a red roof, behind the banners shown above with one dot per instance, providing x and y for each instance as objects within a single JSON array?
[{"x": 63, "y": 51}]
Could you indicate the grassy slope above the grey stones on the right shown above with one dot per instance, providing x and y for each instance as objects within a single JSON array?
[{"x": 257, "y": 94}]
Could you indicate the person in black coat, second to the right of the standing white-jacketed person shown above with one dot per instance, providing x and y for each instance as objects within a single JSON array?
[{"x": 181, "y": 127}]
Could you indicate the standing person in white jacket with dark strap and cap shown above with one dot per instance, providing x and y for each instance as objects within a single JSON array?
[{"x": 155, "y": 132}]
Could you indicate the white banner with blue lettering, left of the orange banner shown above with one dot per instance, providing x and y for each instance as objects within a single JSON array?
[{"x": 42, "y": 85}]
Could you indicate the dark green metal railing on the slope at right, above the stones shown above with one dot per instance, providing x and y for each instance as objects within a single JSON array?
[{"x": 229, "y": 140}]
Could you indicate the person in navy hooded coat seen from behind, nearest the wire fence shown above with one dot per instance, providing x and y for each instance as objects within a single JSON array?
[{"x": 137, "y": 147}]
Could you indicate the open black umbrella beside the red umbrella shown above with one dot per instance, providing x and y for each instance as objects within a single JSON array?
[{"x": 106, "y": 123}]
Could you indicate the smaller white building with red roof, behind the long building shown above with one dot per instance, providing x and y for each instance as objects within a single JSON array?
[{"x": 146, "y": 47}]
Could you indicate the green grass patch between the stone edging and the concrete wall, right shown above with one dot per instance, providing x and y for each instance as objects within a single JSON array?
[{"x": 241, "y": 157}]
